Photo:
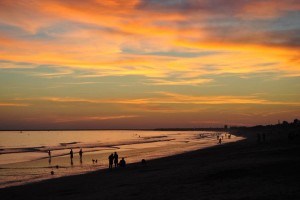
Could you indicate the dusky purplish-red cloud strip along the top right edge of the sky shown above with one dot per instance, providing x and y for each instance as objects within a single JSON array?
[{"x": 219, "y": 7}]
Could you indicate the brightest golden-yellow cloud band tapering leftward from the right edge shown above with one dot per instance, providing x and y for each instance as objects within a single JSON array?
[{"x": 246, "y": 58}]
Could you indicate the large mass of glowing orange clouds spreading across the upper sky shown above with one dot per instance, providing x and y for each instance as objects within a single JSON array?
[{"x": 104, "y": 31}]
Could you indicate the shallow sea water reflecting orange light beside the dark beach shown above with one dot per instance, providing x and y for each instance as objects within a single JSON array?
[{"x": 24, "y": 154}]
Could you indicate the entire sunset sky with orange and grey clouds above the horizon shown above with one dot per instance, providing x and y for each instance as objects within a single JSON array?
[{"x": 117, "y": 64}]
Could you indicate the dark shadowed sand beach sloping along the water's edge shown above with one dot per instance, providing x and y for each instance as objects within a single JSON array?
[{"x": 241, "y": 170}]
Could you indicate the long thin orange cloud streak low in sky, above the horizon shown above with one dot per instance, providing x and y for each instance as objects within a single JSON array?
[{"x": 169, "y": 98}]
